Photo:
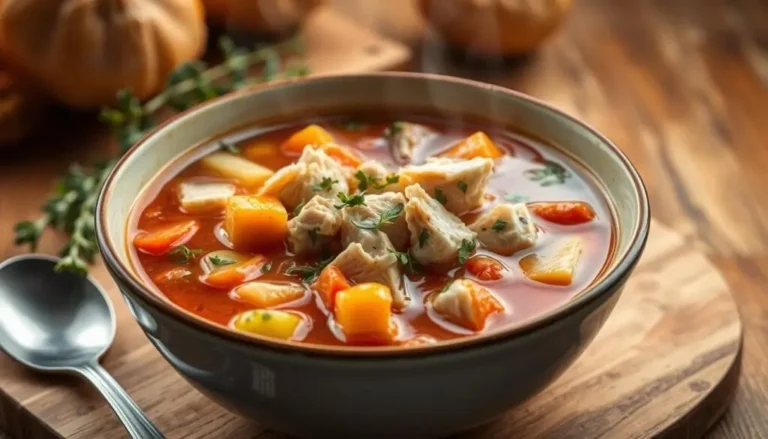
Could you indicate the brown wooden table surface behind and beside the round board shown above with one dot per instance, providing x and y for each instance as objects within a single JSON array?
[{"x": 680, "y": 85}]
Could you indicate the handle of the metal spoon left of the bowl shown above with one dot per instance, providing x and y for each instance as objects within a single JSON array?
[{"x": 134, "y": 420}]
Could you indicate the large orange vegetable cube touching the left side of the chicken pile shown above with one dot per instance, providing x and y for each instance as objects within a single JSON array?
[{"x": 255, "y": 221}]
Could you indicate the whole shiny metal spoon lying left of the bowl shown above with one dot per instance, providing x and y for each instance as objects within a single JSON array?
[{"x": 61, "y": 322}]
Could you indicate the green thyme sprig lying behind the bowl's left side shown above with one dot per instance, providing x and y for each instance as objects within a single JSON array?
[{"x": 71, "y": 207}]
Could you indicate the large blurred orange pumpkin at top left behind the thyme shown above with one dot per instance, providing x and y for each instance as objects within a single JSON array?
[{"x": 83, "y": 52}]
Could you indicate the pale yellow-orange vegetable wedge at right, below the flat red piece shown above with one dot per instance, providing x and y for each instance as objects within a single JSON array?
[{"x": 557, "y": 269}]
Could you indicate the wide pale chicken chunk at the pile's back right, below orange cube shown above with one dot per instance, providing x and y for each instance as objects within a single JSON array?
[{"x": 458, "y": 184}]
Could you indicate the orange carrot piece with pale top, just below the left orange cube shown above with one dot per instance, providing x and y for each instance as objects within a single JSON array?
[{"x": 227, "y": 269}]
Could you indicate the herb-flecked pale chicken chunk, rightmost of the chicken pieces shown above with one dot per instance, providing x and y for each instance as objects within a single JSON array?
[{"x": 506, "y": 229}]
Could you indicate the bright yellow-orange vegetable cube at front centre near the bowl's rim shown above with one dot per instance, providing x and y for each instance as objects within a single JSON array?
[{"x": 364, "y": 313}]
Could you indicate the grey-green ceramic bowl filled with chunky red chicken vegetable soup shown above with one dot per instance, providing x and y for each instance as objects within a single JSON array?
[{"x": 375, "y": 255}]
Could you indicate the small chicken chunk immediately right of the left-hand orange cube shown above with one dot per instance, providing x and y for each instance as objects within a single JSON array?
[{"x": 314, "y": 227}]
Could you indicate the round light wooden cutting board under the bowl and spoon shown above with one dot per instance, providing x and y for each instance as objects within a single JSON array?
[{"x": 666, "y": 364}]
